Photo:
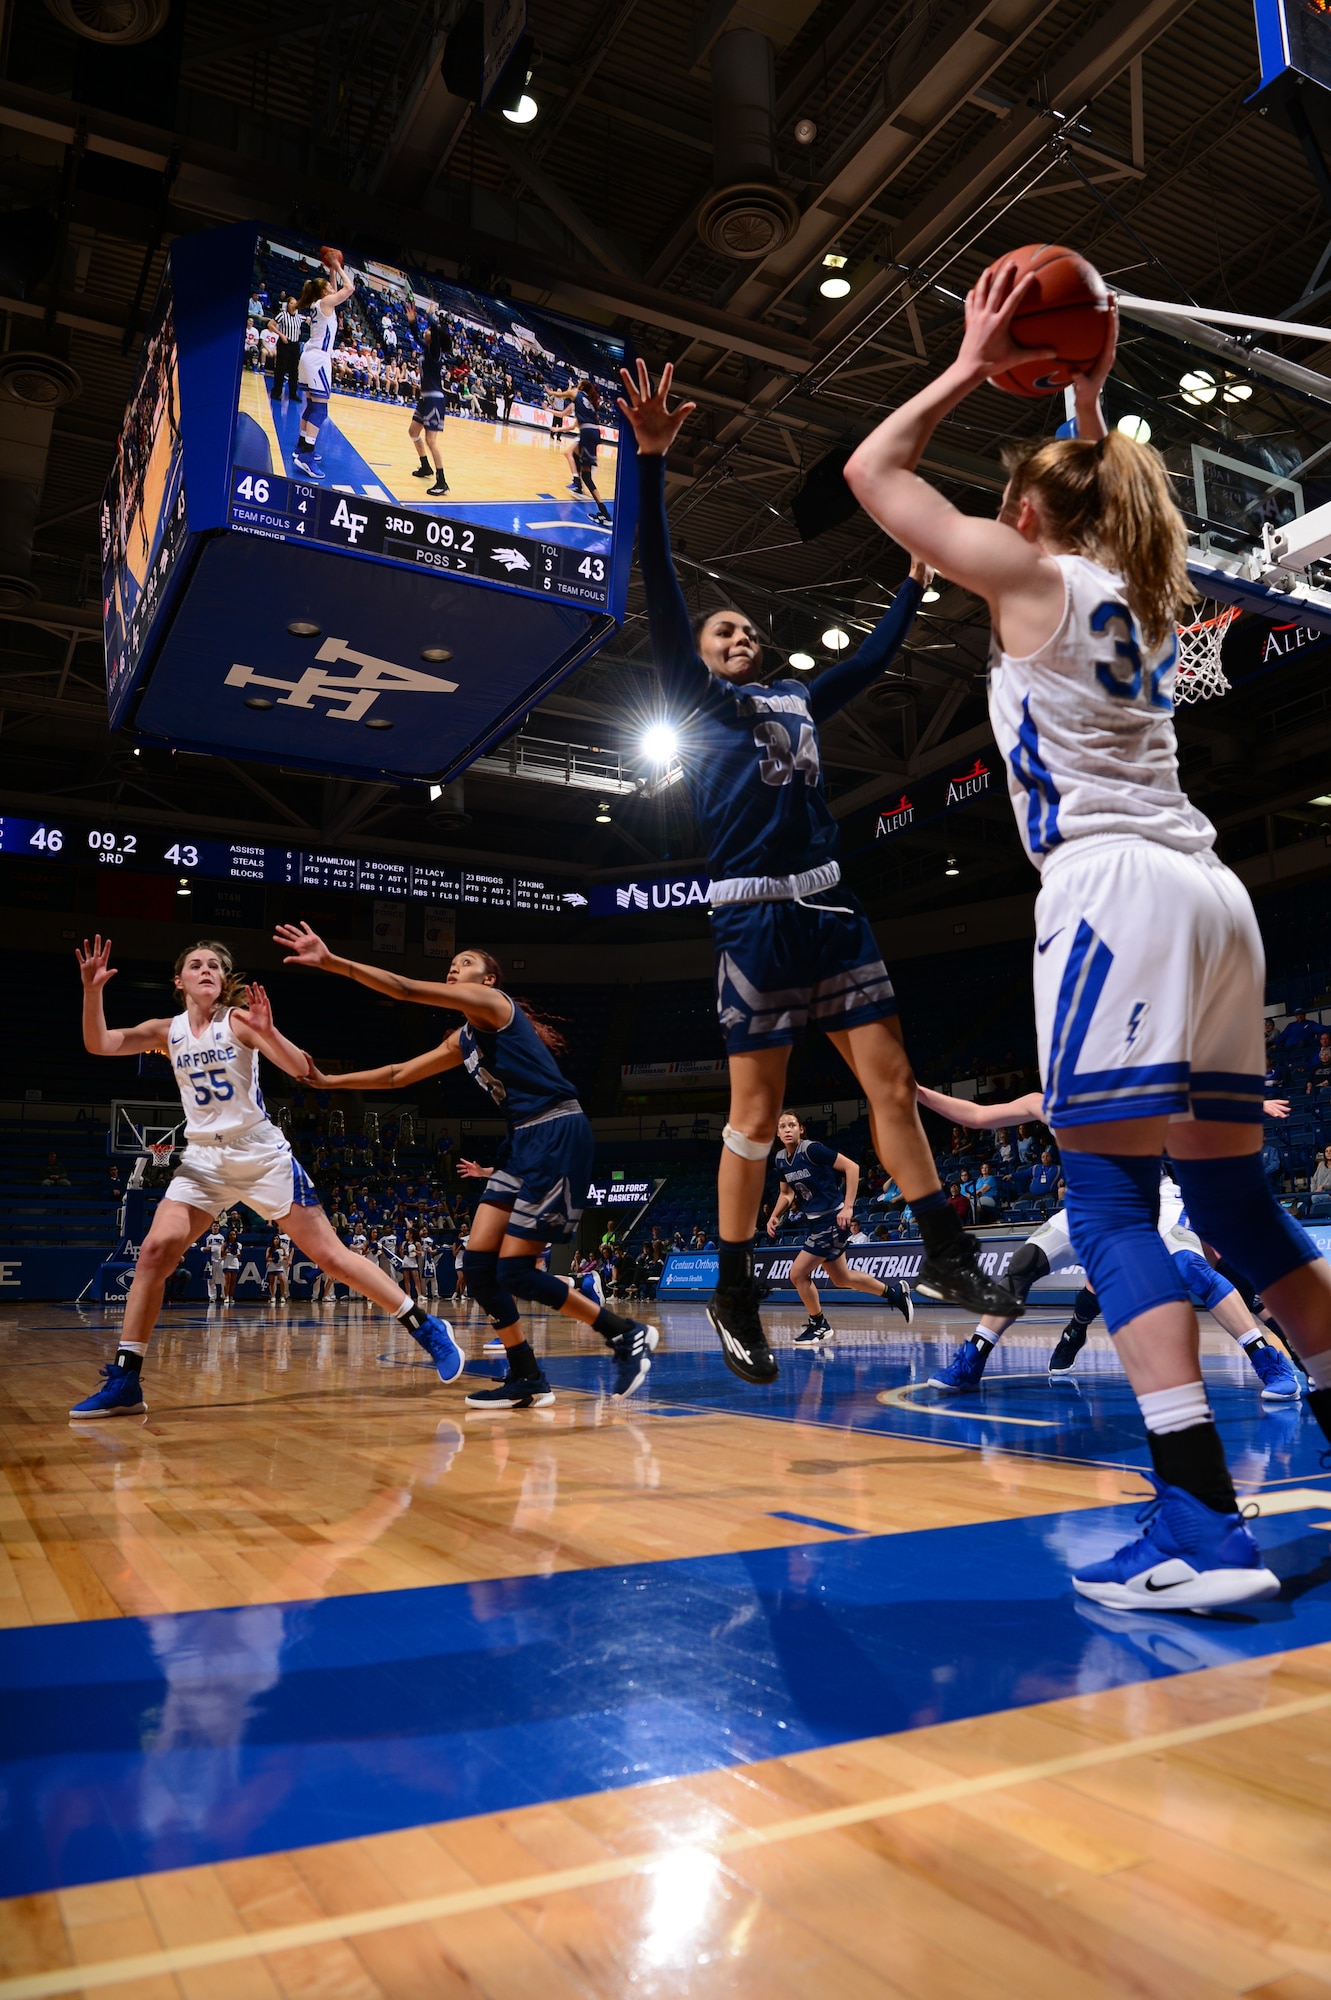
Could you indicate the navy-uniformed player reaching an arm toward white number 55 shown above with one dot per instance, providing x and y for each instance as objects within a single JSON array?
[{"x": 537, "y": 1191}]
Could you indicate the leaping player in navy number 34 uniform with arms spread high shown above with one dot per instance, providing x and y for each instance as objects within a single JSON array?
[{"x": 790, "y": 943}]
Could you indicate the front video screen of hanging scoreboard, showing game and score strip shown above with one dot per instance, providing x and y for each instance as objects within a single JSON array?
[{"x": 403, "y": 417}]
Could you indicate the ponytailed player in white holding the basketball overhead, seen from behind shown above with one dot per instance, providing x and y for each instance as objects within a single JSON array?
[{"x": 1150, "y": 971}]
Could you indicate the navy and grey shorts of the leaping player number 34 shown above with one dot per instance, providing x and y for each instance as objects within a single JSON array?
[{"x": 782, "y": 965}]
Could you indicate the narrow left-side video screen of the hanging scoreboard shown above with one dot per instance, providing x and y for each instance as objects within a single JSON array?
[{"x": 143, "y": 507}]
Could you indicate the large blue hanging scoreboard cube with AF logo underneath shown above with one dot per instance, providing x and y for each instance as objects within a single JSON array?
[{"x": 339, "y": 611}]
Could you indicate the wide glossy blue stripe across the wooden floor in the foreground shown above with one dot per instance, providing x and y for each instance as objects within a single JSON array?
[{"x": 161, "y": 1743}]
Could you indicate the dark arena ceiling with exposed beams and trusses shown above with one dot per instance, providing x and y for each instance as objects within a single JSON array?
[{"x": 944, "y": 133}]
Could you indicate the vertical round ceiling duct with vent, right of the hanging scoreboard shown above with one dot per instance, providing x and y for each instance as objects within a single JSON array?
[{"x": 748, "y": 215}]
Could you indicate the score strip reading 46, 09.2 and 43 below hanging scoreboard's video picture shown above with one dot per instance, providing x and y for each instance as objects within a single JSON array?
[{"x": 265, "y": 503}]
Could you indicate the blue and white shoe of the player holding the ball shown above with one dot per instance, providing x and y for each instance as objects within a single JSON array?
[{"x": 1188, "y": 1561}]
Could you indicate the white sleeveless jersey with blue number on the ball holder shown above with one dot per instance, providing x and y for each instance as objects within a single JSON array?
[{"x": 1086, "y": 727}]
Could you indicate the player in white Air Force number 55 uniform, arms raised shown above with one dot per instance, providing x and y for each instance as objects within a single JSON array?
[{"x": 233, "y": 1155}]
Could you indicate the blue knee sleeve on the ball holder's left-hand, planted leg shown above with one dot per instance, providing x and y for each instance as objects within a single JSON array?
[{"x": 1112, "y": 1215}]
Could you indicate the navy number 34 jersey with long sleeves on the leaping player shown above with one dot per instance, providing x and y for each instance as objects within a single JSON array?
[{"x": 750, "y": 753}]
